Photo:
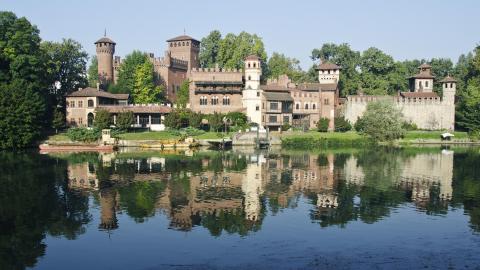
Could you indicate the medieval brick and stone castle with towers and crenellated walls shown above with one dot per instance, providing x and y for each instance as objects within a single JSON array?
[{"x": 279, "y": 102}]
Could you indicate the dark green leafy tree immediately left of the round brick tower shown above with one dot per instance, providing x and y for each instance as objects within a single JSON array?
[{"x": 66, "y": 63}]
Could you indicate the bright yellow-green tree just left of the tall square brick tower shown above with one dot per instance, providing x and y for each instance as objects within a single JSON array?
[{"x": 145, "y": 90}]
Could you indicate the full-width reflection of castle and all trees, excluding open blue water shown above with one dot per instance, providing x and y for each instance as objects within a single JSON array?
[{"x": 224, "y": 192}]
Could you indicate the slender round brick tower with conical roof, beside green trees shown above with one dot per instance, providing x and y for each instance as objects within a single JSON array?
[{"x": 105, "y": 48}]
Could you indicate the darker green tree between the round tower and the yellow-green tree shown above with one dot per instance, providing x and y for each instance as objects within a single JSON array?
[{"x": 127, "y": 72}]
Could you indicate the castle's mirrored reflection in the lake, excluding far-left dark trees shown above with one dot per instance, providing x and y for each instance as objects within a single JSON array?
[{"x": 232, "y": 191}]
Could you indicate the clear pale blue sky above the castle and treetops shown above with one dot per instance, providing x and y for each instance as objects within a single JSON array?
[{"x": 405, "y": 29}]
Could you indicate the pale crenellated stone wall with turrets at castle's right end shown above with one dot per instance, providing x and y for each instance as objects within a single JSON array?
[{"x": 420, "y": 105}]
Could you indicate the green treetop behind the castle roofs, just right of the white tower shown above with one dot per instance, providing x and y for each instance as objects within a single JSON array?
[{"x": 279, "y": 64}]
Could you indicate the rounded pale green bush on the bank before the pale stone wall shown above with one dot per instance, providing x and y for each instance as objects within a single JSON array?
[{"x": 383, "y": 122}]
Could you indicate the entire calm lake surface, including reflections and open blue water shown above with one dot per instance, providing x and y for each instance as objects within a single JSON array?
[{"x": 241, "y": 209}]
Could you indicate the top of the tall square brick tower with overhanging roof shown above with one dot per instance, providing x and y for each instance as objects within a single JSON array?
[{"x": 185, "y": 48}]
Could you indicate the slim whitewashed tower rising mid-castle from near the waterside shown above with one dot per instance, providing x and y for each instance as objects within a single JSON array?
[{"x": 252, "y": 94}]
